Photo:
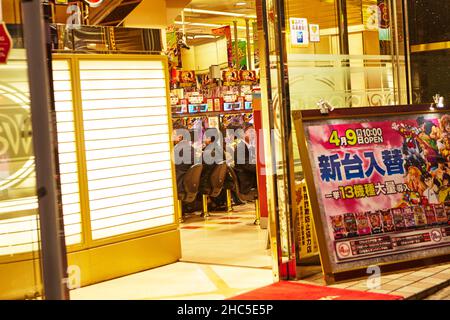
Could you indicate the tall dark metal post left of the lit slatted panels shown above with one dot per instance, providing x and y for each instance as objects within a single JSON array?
[{"x": 53, "y": 250}]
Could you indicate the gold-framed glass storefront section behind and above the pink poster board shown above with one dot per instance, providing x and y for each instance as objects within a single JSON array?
[{"x": 347, "y": 54}]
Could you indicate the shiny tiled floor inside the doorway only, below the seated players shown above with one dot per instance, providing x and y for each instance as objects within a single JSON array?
[{"x": 226, "y": 239}]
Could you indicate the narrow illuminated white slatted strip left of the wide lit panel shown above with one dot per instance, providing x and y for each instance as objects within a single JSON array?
[{"x": 67, "y": 148}]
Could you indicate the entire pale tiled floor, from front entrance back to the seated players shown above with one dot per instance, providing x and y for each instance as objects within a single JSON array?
[{"x": 222, "y": 256}]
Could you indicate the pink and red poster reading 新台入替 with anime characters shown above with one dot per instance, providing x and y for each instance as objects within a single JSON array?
[{"x": 383, "y": 187}]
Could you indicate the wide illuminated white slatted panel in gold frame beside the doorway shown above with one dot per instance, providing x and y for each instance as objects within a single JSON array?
[{"x": 127, "y": 144}]
